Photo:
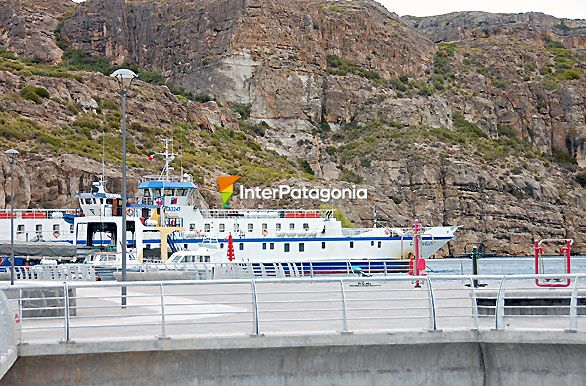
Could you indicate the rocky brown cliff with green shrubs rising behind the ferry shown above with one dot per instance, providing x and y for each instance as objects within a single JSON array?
[{"x": 471, "y": 118}]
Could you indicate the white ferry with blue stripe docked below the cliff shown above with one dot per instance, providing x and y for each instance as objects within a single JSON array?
[{"x": 163, "y": 219}]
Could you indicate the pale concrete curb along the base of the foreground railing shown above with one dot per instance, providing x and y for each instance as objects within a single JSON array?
[{"x": 291, "y": 341}]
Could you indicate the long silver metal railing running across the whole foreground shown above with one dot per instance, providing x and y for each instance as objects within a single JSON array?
[{"x": 296, "y": 305}]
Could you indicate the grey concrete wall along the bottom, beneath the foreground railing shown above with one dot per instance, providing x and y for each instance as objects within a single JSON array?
[{"x": 436, "y": 359}]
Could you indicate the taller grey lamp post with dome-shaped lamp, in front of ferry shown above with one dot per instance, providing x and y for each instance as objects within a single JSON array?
[{"x": 124, "y": 78}]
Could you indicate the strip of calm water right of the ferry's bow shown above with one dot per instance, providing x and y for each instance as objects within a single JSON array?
[{"x": 503, "y": 266}]
